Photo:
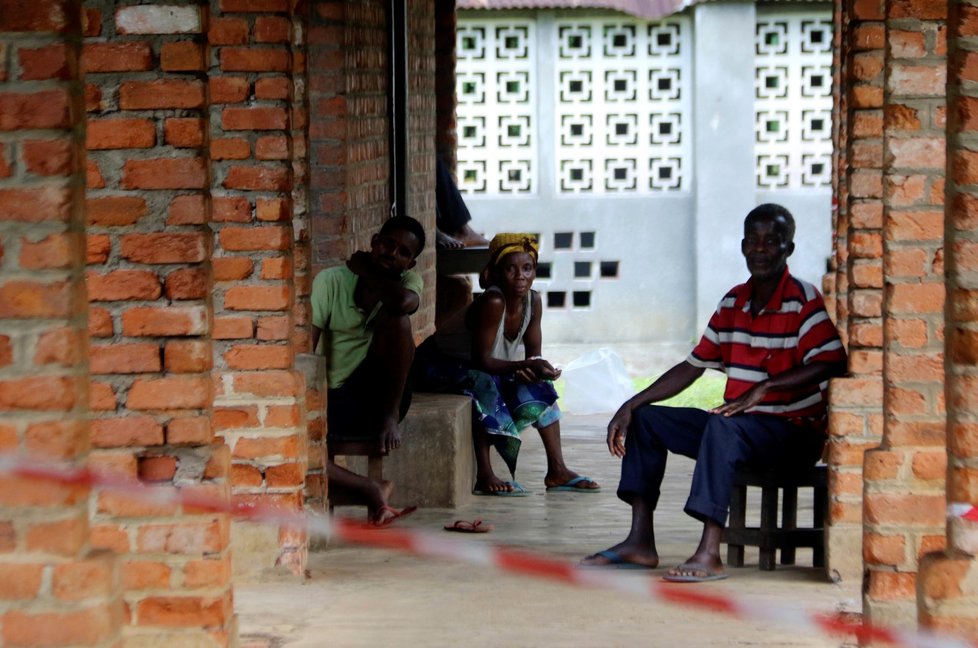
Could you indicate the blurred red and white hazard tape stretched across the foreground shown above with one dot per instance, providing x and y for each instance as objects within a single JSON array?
[{"x": 503, "y": 558}]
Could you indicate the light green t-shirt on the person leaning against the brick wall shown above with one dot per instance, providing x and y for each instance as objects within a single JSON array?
[{"x": 347, "y": 329}]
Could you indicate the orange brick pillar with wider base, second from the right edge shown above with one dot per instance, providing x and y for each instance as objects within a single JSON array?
[{"x": 904, "y": 493}]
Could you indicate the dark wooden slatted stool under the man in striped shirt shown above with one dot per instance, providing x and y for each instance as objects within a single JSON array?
[{"x": 769, "y": 536}]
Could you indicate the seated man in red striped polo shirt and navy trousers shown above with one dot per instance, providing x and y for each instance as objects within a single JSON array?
[{"x": 773, "y": 338}]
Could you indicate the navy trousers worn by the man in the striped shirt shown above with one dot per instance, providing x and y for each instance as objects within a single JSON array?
[{"x": 719, "y": 445}]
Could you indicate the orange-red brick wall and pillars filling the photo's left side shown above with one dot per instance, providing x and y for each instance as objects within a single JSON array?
[{"x": 161, "y": 214}]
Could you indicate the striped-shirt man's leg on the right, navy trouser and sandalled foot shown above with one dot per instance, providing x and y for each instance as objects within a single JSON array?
[{"x": 729, "y": 442}]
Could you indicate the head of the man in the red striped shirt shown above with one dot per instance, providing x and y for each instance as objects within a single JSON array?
[{"x": 769, "y": 232}]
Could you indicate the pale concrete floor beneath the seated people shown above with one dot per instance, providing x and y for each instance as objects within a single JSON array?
[{"x": 368, "y": 597}]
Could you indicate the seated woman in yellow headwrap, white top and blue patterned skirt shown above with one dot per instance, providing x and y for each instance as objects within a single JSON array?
[{"x": 490, "y": 351}]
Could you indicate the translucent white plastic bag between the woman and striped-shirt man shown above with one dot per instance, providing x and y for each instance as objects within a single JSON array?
[{"x": 595, "y": 383}]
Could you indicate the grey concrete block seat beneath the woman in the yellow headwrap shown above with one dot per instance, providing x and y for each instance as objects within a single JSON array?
[{"x": 435, "y": 465}]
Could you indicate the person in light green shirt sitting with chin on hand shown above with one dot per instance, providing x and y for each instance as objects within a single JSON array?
[{"x": 360, "y": 323}]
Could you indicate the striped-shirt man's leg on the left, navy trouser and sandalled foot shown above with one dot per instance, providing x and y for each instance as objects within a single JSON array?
[{"x": 654, "y": 432}]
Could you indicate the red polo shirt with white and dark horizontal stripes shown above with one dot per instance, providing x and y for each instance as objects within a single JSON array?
[{"x": 792, "y": 329}]
